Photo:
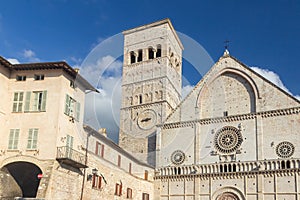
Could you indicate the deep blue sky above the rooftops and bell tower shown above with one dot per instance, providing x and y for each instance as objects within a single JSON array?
[{"x": 265, "y": 34}]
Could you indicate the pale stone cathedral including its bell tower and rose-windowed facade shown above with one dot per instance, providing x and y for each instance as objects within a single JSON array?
[{"x": 236, "y": 136}]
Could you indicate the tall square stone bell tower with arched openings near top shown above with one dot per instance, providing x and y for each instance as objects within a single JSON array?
[{"x": 151, "y": 85}]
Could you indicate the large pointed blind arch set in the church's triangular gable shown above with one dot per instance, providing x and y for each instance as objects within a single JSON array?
[{"x": 218, "y": 89}]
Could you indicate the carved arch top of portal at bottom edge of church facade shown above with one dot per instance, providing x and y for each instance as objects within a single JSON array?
[{"x": 228, "y": 193}]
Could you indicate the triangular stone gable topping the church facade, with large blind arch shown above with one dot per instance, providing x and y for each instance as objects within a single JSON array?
[{"x": 231, "y": 88}]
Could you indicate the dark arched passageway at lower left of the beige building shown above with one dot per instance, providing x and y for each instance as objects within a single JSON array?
[{"x": 25, "y": 176}]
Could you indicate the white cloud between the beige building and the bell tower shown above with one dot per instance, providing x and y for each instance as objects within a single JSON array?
[{"x": 103, "y": 110}]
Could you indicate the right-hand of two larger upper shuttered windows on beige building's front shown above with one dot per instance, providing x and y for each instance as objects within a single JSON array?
[{"x": 35, "y": 101}]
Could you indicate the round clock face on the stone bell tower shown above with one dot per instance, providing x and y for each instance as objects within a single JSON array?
[{"x": 147, "y": 119}]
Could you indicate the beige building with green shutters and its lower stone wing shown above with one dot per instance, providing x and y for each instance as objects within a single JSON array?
[{"x": 45, "y": 150}]
